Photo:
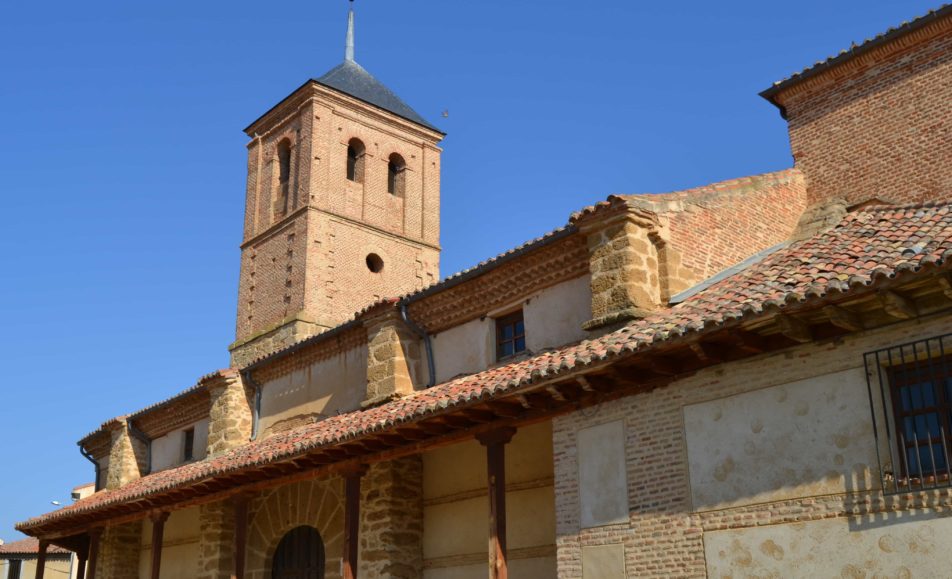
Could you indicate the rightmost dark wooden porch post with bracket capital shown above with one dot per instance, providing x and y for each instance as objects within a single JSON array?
[{"x": 495, "y": 442}]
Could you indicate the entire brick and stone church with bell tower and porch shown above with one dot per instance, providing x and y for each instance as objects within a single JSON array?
[{"x": 748, "y": 378}]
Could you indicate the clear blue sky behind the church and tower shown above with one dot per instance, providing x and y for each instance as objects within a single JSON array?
[{"x": 122, "y": 160}]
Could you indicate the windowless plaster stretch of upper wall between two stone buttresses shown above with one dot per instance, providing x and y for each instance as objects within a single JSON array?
[{"x": 321, "y": 389}]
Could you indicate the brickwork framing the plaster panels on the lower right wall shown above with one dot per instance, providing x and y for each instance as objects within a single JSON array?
[{"x": 663, "y": 536}]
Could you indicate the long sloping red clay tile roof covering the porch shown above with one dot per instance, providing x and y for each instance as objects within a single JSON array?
[{"x": 867, "y": 246}]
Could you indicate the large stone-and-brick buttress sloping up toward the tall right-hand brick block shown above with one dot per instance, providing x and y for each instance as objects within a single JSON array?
[{"x": 644, "y": 249}]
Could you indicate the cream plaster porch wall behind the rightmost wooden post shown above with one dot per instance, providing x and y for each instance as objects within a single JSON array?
[{"x": 456, "y": 508}]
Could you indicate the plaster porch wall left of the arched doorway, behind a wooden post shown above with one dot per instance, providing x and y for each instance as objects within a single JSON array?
[{"x": 180, "y": 551}]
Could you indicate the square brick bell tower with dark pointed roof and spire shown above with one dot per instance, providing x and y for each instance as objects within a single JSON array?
[{"x": 342, "y": 208}]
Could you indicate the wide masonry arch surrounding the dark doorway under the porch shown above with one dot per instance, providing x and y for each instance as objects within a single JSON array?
[{"x": 319, "y": 504}]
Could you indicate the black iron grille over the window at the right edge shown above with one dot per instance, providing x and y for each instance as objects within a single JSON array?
[{"x": 910, "y": 395}]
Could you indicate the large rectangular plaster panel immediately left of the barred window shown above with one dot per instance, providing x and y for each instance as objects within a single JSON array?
[{"x": 805, "y": 438}]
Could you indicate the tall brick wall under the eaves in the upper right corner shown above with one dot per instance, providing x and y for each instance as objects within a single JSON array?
[{"x": 879, "y": 126}]
